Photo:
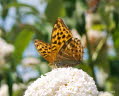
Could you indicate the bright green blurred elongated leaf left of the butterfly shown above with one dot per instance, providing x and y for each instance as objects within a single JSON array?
[{"x": 21, "y": 42}]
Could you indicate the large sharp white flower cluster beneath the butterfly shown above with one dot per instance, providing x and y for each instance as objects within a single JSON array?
[{"x": 63, "y": 82}]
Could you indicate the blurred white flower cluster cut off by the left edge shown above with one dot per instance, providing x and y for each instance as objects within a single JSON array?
[{"x": 5, "y": 50}]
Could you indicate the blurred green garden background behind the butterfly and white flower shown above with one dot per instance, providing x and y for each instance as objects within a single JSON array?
[{"x": 95, "y": 22}]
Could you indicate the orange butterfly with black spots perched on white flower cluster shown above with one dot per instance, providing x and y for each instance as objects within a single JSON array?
[{"x": 64, "y": 50}]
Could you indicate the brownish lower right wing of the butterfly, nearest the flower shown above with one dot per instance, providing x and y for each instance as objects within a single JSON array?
[{"x": 70, "y": 54}]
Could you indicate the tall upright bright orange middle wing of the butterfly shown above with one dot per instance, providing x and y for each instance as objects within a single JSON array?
[{"x": 60, "y": 35}]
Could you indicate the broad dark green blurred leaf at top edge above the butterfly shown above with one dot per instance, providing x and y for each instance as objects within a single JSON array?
[{"x": 55, "y": 9}]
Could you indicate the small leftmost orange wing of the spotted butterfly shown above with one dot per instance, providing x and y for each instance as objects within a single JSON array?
[{"x": 44, "y": 49}]
